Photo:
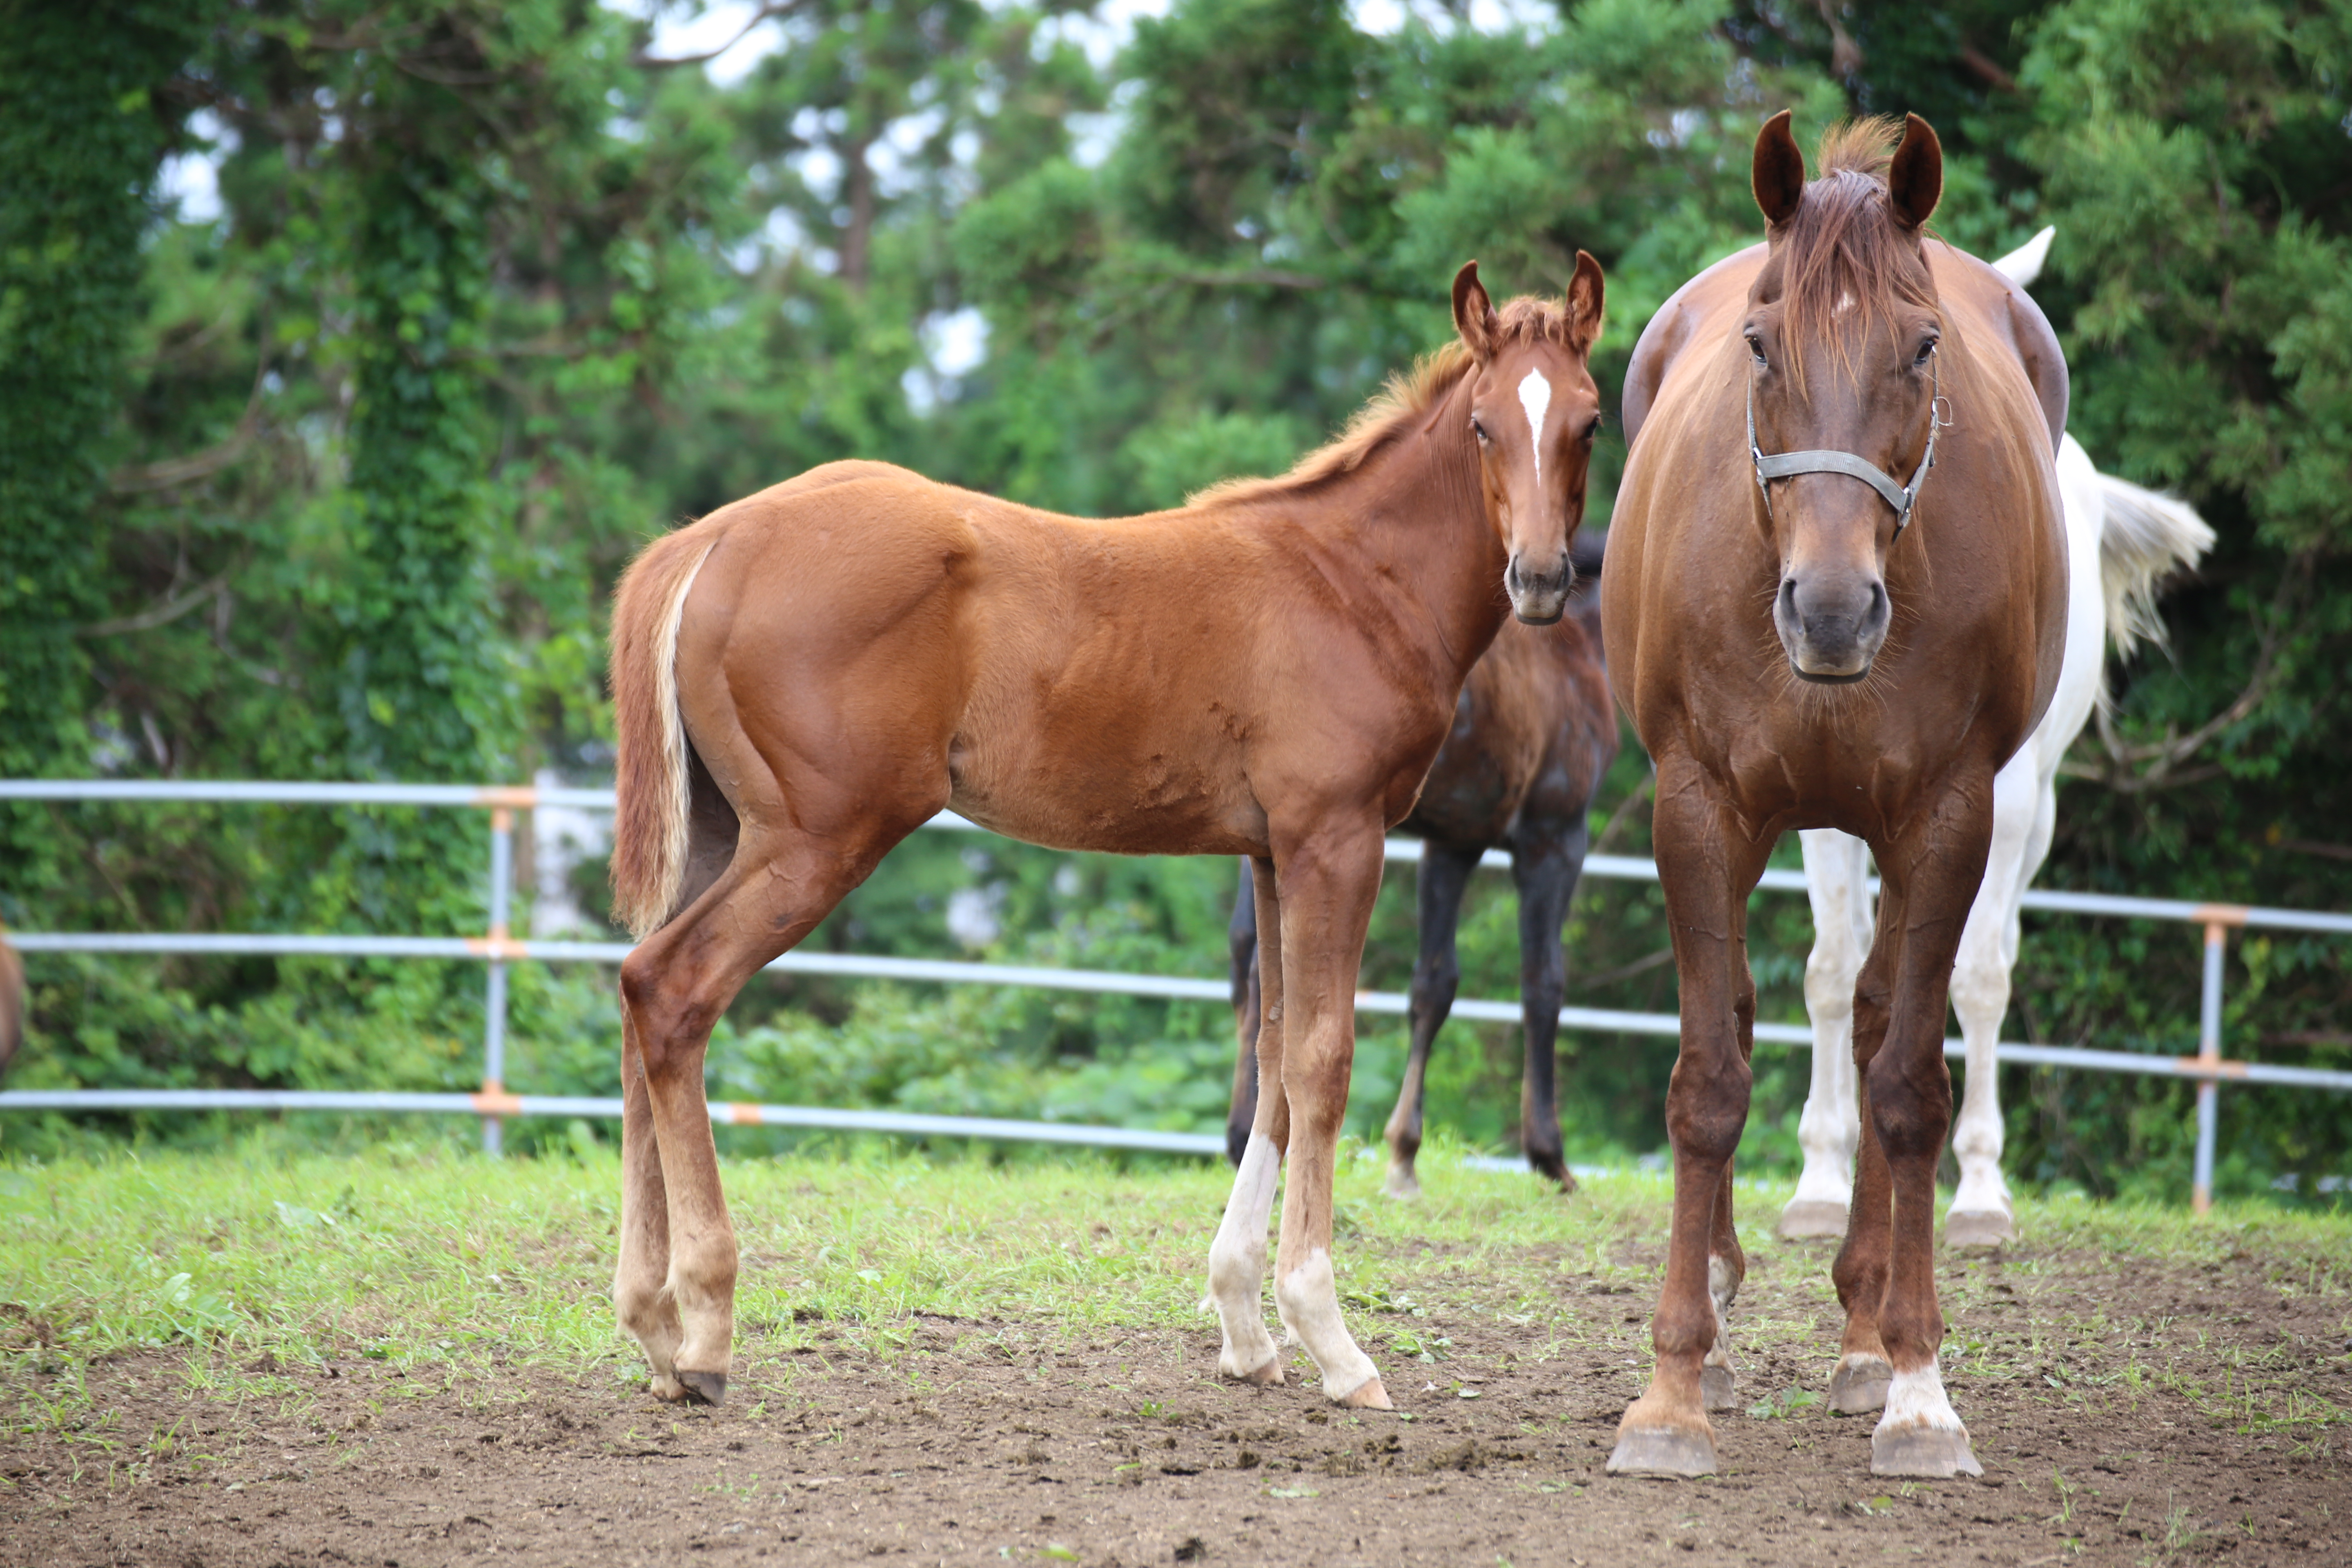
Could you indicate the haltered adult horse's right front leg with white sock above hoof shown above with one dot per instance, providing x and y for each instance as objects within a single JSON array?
[{"x": 1932, "y": 878}]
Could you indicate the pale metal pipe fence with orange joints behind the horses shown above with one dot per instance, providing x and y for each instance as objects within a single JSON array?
[{"x": 500, "y": 949}]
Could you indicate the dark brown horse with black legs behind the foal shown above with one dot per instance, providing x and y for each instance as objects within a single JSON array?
[{"x": 1532, "y": 737}]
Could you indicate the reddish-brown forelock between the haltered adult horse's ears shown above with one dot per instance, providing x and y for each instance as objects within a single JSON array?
[{"x": 1843, "y": 248}]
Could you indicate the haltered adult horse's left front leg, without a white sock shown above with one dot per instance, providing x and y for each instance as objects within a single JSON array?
[{"x": 1706, "y": 866}]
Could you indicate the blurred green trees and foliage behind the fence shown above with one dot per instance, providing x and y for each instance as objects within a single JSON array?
[{"x": 347, "y": 354}]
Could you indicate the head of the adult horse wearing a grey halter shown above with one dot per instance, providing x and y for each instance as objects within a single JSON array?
[{"x": 1843, "y": 380}]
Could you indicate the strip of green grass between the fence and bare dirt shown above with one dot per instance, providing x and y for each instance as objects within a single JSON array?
[{"x": 420, "y": 1254}]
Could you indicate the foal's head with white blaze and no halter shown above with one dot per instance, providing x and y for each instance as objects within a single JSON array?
[{"x": 1535, "y": 413}]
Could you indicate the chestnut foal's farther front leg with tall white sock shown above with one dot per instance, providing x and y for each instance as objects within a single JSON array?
[{"x": 1238, "y": 1254}]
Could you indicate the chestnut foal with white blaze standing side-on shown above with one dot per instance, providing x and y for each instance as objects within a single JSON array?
[{"x": 806, "y": 676}]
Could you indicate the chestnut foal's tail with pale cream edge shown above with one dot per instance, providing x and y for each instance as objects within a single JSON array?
[{"x": 650, "y": 817}]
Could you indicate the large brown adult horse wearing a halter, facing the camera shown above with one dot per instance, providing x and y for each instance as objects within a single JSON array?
[{"x": 1808, "y": 641}]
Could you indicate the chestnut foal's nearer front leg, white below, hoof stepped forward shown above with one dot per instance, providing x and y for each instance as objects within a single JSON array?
[{"x": 1330, "y": 883}]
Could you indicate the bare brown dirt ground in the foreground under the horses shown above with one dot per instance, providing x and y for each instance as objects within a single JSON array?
[{"x": 2151, "y": 1419}]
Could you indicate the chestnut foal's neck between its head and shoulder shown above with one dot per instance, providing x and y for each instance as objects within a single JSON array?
[{"x": 1415, "y": 523}]
